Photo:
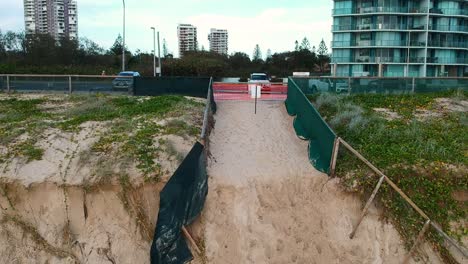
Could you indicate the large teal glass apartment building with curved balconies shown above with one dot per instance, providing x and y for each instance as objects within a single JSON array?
[{"x": 397, "y": 38}]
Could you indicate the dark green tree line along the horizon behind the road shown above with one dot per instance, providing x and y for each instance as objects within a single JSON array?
[{"x": 41, "y": 54}]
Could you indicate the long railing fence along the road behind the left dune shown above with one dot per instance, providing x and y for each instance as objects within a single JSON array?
[{"x": 65, "y": 83}]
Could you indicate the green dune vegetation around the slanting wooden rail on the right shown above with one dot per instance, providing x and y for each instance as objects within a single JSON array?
[{"x": 425, "y": 155}]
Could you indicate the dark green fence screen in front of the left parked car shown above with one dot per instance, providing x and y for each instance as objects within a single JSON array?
[{"x": 189, "y": 86}]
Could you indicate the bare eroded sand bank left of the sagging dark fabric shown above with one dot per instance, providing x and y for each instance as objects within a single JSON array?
[{"x": 57, "y": 210}]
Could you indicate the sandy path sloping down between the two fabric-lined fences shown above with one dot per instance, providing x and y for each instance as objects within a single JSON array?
[{"x": 267, "y": 204}]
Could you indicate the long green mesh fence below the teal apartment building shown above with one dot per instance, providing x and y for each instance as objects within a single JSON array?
[{"x": 359, "y": 85}]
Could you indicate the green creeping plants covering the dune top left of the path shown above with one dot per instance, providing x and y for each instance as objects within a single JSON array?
[{"x": 130, "y": 123}]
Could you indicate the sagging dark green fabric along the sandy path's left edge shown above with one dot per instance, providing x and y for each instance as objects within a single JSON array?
[{"x": 181, "y": 201}]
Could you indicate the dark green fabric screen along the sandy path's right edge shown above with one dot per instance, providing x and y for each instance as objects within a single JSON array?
[{"x": 309, "y": 125}]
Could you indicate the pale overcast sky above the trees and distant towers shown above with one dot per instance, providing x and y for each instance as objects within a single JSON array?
[{"x": 273, "y": 24}]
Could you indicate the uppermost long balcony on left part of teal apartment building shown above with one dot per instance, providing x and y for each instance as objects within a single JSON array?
[{"x": 379, "y": 9}]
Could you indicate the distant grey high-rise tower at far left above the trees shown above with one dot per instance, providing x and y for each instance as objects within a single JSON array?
[{"x": 58, "y": 18}]
